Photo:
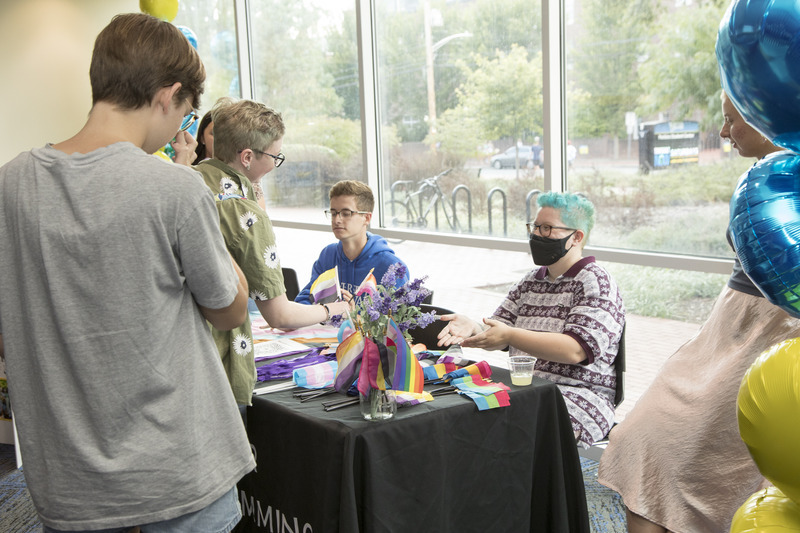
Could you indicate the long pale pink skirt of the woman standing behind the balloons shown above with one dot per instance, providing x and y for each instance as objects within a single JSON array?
[{"x": 677, "y": 459}]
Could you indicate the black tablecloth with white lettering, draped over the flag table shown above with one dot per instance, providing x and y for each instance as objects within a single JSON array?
[{"x": 437, "y": 467}]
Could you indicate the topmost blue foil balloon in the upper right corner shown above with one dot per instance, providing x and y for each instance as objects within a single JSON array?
[{"x": 758, "y": 50}]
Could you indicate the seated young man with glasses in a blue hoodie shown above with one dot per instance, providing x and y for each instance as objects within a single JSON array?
[{"x": 358, "y": 250}]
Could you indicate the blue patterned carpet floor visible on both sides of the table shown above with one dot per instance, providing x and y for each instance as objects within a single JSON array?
[{"x": 17, "y": 514}]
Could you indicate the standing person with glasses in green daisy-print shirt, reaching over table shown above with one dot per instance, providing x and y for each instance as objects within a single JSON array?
[{"x": 248, "y": 137}]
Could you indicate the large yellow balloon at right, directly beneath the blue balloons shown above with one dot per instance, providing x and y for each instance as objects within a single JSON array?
[{"x": 769, "y": 415}]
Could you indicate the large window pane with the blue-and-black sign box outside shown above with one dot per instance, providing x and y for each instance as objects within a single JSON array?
[{"x": 643, "y": 121}]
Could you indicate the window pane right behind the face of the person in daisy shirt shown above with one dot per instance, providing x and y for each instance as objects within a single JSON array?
[{"x": 305, "y": 65}]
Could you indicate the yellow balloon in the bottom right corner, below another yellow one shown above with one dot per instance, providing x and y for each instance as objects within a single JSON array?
[{"x": 767, "y": 511}]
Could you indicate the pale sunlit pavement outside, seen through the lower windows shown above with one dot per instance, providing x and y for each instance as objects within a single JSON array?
[{"x": 473, "y": 281}]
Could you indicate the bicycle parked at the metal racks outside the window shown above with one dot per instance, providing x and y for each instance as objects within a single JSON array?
[{"x": 413, "y": 210}]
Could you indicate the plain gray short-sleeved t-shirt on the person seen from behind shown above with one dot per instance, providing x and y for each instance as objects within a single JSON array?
[{"x": 123, "y": 409}]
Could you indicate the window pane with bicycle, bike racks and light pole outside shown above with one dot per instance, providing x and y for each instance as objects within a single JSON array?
[{"x": 460, "y": 113}]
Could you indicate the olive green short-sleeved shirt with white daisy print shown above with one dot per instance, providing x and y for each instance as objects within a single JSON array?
[{"x": 251, "y": 241}]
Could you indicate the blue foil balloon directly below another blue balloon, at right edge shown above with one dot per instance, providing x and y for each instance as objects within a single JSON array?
[{"x": 765, "y": 223}]
